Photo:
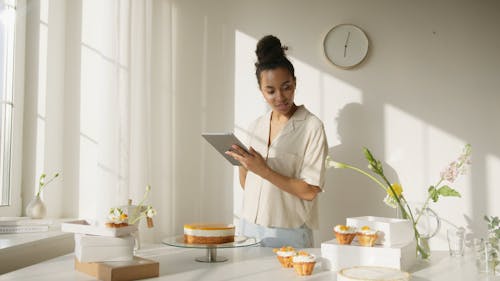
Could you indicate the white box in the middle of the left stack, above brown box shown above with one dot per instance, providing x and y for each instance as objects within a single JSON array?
[{"x": 91, "y": 248}]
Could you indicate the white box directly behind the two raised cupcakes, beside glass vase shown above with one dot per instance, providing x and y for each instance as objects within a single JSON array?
[{"x": 391, "y": 231}]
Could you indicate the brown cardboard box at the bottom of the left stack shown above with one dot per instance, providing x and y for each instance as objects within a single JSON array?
[{"x": 138, "y": 268}]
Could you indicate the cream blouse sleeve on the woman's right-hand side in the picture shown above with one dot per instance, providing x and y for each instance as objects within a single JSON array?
[{"x": 313, "y": 166}]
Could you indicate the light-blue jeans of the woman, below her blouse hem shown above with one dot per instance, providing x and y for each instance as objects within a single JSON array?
[{"x": 277, "y": 237}]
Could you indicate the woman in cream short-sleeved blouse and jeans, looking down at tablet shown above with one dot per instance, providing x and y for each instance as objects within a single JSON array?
[{"x": 283, "y": 171}]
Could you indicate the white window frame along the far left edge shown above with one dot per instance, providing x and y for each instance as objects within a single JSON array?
[{"x": 15, "y": 203}]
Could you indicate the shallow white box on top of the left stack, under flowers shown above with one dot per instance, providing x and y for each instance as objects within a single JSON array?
[{"x": 86, "y": 227}]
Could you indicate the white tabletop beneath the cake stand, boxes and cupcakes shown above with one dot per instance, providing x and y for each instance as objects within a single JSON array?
[{"x": 249, "y": 263}]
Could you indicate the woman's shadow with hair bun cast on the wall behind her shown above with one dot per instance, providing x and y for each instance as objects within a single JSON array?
[{"x": 348, "y": 193}]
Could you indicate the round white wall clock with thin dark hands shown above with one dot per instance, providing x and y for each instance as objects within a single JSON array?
[{"x": 346, "y": 45}]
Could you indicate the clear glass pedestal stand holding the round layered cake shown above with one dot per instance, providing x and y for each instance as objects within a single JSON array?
[{"x": 211, "y": 256}]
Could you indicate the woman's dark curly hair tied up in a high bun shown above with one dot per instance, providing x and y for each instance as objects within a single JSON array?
[{"x": 271, "y": 55}]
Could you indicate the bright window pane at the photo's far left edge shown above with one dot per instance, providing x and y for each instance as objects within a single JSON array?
[{"x": 7, "y": 33}]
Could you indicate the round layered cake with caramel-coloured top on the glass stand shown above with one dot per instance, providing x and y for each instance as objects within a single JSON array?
[{"x": 208, "y": 233}]
